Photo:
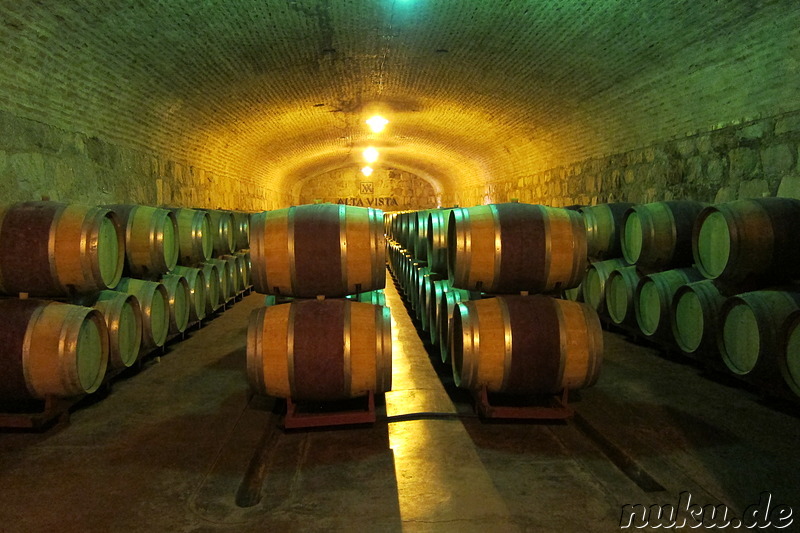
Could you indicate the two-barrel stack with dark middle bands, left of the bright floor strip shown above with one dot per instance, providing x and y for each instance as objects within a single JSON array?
[{"x": 324, "y": 334}]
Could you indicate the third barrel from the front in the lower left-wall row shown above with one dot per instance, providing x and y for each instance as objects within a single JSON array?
[{"x": 154, "y": 302}]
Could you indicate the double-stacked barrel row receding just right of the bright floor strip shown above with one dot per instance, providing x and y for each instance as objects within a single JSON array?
[{"x": 503, "y": 332}]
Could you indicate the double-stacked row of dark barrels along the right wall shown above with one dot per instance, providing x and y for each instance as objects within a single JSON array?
[{"x": 717, "y": 282}]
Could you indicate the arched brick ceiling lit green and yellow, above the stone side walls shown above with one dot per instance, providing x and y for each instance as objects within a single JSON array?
[{"x": 273, "y": 92}]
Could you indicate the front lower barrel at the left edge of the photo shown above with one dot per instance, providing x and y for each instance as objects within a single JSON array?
[{"x": 50, "y": 349}]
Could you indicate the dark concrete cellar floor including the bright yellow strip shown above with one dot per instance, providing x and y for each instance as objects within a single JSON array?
[{"x": 168, "y": 450}]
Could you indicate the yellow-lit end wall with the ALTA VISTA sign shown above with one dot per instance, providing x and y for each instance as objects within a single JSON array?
[{"x": 386, "y": 189}]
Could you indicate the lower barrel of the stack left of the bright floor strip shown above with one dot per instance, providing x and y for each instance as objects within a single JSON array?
[{"x": 335, "y": 349}]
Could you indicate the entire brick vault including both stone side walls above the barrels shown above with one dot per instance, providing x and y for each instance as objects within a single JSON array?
[{"x": 228, "y": 104}]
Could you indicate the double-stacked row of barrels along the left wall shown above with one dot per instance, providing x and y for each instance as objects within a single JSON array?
[{"x": 99, "y": 288}]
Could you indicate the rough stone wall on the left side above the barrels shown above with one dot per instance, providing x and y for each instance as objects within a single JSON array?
[{"x": 39, "y": 160}]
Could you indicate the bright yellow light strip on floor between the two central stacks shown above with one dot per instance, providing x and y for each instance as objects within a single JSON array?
[{"x": 440, "y": 477}]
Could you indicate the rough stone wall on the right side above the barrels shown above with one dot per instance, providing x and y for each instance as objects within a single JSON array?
[{"x": 748, "y": 160}]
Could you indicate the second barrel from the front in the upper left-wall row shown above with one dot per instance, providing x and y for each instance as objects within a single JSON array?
[{"x": 151, "y": 239}]
